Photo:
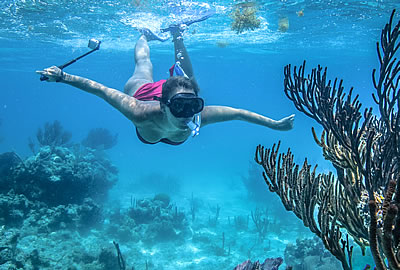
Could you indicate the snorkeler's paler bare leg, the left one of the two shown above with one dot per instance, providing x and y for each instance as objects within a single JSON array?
[{"x": 143, "y": 68}]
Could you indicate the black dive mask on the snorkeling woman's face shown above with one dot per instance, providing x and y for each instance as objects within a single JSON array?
[{"x": 185, "y": 105}]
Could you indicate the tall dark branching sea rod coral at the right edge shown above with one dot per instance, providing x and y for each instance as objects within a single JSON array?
[{"x": 363, "y": 197}]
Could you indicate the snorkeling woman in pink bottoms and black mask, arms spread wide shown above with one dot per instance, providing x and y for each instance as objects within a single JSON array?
[{"x": 167, "y": 111}]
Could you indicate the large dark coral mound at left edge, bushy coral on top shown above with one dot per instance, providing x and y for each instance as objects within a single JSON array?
[{"x": 70, "y": 182}]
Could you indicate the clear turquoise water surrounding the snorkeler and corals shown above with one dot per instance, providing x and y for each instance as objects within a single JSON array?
[{"x": 246, "y": 73}]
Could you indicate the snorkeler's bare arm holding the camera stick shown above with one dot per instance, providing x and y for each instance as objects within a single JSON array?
[{"x": 122, "y": 102}]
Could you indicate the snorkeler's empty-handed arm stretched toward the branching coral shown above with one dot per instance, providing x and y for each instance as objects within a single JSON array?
[{"x": 215, "y": 114}]
